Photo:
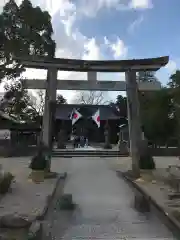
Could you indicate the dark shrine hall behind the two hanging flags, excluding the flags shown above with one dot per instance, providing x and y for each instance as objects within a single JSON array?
[{"x": 108, "y": 113}]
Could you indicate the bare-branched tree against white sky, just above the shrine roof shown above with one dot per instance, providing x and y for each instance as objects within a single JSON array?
[{"x": 90, "y": 97}]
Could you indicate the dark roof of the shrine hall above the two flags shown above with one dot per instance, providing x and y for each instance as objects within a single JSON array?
[{"x": 107, "y": 112}]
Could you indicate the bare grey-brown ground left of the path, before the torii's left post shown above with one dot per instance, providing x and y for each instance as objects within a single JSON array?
[{"x": 26, "y": 199}]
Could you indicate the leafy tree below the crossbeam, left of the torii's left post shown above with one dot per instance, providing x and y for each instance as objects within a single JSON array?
[{"x": 23, "y": 104}]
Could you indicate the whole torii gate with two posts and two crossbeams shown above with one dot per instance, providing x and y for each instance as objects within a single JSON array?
[{"x": 130, "y": 67}]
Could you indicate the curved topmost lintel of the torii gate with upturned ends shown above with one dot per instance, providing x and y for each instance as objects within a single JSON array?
[{"x": 148, "y": 64}]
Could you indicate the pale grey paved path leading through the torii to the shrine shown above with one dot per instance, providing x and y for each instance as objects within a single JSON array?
[{"x": 105, "y": 207}]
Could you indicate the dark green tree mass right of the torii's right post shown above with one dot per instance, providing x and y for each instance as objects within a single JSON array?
[{"x": 156, "y": 109}]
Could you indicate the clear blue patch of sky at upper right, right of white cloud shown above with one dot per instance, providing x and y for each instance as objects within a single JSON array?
[{"x": 149, "y": 32}]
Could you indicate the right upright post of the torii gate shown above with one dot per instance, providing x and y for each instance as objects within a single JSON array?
[{"x": 133, "y": 120}]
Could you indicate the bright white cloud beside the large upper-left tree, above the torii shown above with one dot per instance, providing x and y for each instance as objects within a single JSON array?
[{"x": 71, "y": 43}]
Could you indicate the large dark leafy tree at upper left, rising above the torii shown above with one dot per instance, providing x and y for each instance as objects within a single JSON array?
[{"x": 24, "y": 31}]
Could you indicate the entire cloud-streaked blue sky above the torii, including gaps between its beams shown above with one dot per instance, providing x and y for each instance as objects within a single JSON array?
[{"x": 113, "y": 29}]
